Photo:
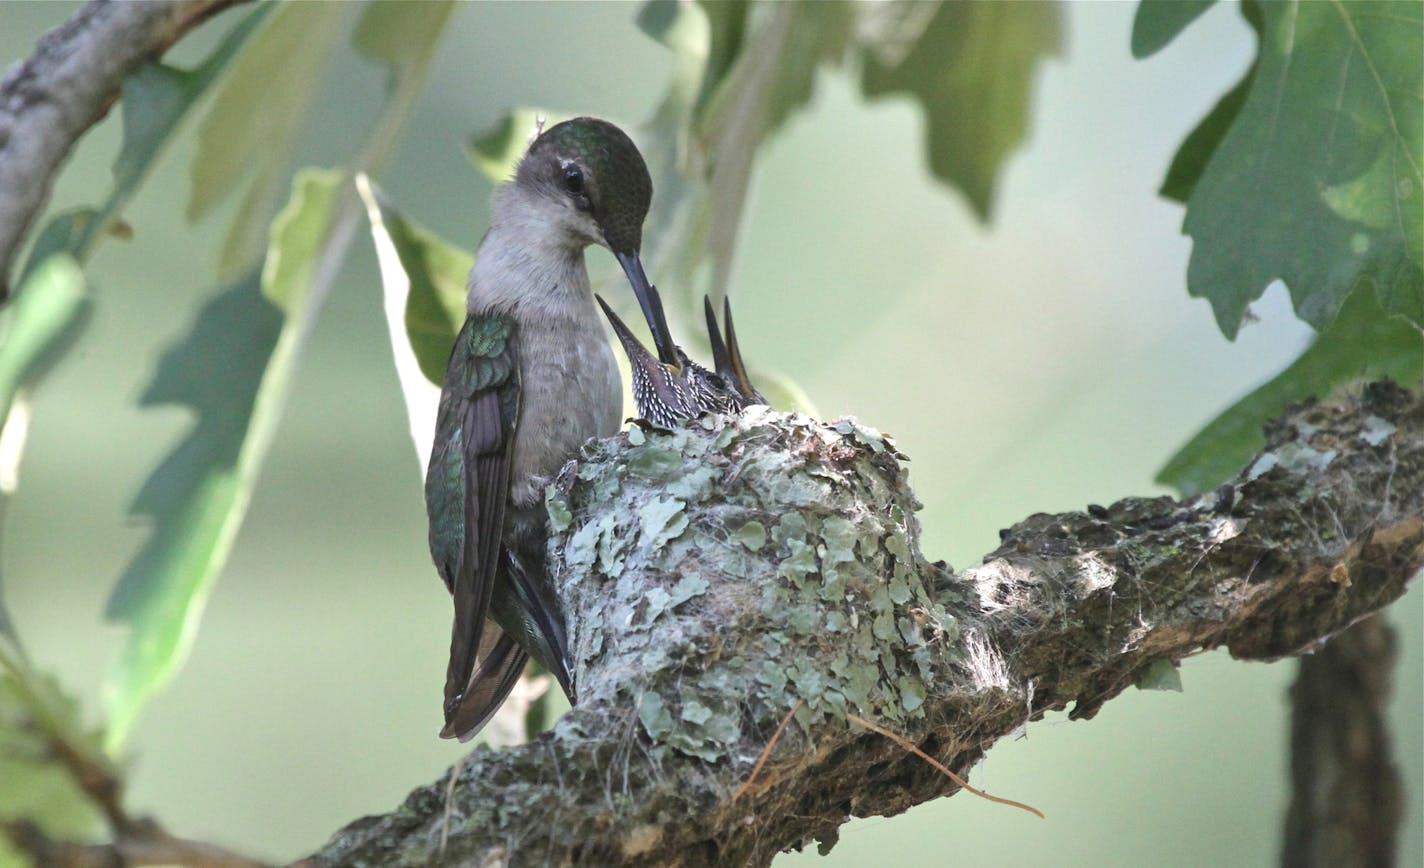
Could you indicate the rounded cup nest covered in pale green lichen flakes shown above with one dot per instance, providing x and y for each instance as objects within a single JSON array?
[{"x": 733, "y": 566}]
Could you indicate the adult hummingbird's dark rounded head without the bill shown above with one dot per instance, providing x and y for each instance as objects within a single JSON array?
[{"x": 596, "y": 169}]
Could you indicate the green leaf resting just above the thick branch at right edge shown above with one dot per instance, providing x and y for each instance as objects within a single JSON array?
[{"x": 1363, "y": 342}]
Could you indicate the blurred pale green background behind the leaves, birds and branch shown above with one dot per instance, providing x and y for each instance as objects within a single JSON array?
[{"x": 1036, "y": 365}]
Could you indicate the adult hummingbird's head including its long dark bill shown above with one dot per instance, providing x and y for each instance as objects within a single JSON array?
[{"x": 595, "y": 173}]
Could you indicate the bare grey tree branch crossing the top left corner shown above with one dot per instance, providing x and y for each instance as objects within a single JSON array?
[{"x": 66, "y": 88}]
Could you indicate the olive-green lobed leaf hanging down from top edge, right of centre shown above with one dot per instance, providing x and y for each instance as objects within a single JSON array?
[{"x": 970, "y": 66}]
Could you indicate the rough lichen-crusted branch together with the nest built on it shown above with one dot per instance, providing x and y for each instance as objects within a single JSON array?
[{"x": 718, "y": 577}]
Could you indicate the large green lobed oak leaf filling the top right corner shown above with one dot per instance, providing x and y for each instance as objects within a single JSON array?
[{"x": 1311, "y": 170}]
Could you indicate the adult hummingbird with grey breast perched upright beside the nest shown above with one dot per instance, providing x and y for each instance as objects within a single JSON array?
[{"x": 532, "y": 376}]
